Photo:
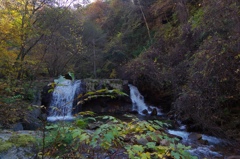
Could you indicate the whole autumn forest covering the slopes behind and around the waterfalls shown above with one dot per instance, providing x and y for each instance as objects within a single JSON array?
[{"x": 184, "y": 54}]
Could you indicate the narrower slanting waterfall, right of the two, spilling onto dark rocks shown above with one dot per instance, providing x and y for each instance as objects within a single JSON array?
[{"x": 138, "y": 102}]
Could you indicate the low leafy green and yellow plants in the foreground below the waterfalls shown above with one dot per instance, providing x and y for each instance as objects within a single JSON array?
[{"x": 112, "y": 138}]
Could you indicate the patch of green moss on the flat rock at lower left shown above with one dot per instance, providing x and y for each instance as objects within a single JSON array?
[{"x": 22, "y": 140}]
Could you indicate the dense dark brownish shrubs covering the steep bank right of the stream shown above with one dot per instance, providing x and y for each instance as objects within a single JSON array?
[{"x": 196, "y": 61}]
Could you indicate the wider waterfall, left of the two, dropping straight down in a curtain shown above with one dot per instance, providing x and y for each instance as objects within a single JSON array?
[{"x": 62, "y": 100}]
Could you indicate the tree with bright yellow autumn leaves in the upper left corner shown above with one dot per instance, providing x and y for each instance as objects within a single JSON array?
[{"x": 22, "y": 35}]
